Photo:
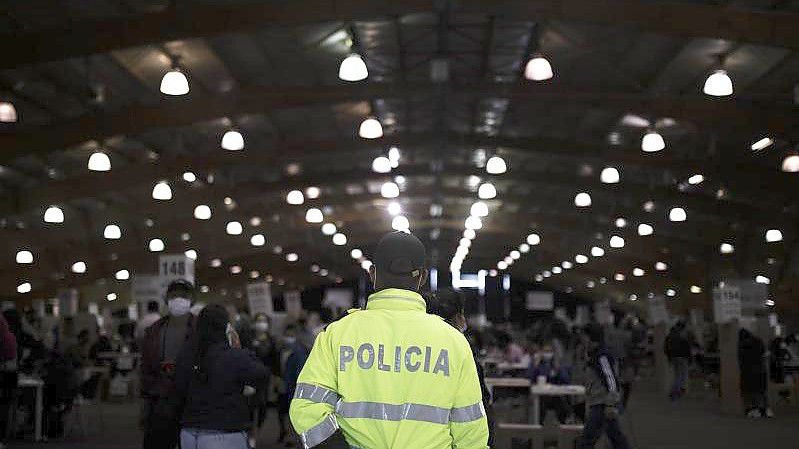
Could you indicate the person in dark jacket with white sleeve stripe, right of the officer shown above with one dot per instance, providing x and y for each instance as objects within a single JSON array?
[{"x": 602, "y": 395}]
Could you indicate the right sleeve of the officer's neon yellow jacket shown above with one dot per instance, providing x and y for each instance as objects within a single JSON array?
[{"x": 468, "y": 424}]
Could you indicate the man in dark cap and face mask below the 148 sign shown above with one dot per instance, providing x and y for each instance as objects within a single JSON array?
[{"x": 160, "y": 347}]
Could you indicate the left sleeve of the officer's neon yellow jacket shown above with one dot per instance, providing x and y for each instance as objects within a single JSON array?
[{"x": 315, "y": 396}]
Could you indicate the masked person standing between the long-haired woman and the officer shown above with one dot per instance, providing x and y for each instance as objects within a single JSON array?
[{"x": 263, "y": 346}]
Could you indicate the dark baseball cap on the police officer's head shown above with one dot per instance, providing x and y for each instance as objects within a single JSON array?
[{"x": 400, "y": 254}]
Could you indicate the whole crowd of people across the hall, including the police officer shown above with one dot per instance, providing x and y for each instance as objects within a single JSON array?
[{"x": 211, "y": 376}]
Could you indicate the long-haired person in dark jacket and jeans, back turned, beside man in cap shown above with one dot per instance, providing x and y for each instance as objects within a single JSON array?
[{"x": 211, "y": 379}]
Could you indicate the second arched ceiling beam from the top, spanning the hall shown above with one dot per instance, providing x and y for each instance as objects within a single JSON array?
[{"x": 747, "y": 117}]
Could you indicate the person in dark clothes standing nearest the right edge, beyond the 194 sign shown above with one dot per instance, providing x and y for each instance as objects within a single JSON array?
[{"x": 754, "y": 380}]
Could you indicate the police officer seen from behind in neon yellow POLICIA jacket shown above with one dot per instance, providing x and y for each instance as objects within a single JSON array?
[{"x": 391, "y": 376}]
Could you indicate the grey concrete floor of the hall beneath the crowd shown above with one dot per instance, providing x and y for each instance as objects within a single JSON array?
[{"x": 652, "y": 422}]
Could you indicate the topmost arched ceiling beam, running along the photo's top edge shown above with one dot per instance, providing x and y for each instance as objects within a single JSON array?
[{"x": 183, "y": 22}]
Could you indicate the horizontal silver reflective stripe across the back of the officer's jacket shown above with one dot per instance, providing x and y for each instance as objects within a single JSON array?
[{"x": 393, "y": 412}]
